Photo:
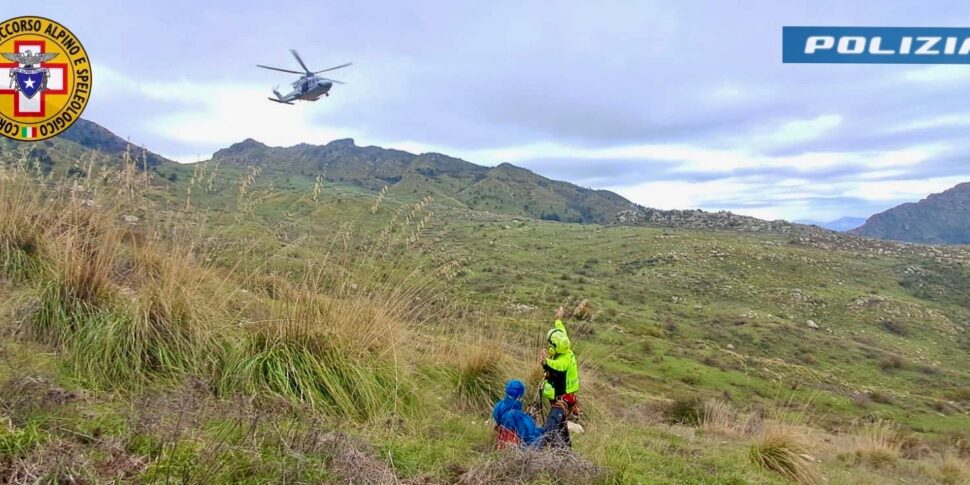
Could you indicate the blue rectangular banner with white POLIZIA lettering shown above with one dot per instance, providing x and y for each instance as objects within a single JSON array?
[{"x": 876, "y": 45}]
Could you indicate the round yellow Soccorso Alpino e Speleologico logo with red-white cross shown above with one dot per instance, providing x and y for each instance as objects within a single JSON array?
[{"x": 45, "y": 78}]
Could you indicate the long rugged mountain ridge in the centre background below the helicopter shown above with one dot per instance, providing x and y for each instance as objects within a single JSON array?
[{"x": 503, "y": 189}]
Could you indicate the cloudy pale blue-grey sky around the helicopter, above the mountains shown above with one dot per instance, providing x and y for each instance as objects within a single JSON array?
[{"x": 672, "y": 104}]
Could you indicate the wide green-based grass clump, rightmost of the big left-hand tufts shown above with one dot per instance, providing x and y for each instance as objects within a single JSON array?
[{"x": 341, "y": 355}]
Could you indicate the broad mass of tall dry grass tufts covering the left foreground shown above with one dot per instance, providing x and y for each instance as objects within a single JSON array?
[{"x": 130, "y": 297}]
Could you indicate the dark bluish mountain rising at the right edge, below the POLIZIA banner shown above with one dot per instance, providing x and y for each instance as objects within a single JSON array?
[{"x": 942, "y": 218}]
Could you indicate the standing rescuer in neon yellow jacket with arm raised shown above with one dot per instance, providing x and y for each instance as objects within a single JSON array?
[{"x": 561, "y": 378}]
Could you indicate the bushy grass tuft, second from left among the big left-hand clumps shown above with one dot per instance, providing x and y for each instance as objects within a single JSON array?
[{"x": 167, "y": 322}]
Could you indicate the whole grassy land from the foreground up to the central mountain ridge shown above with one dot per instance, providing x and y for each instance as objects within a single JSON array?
[{"x": 215, "y": 323}]
